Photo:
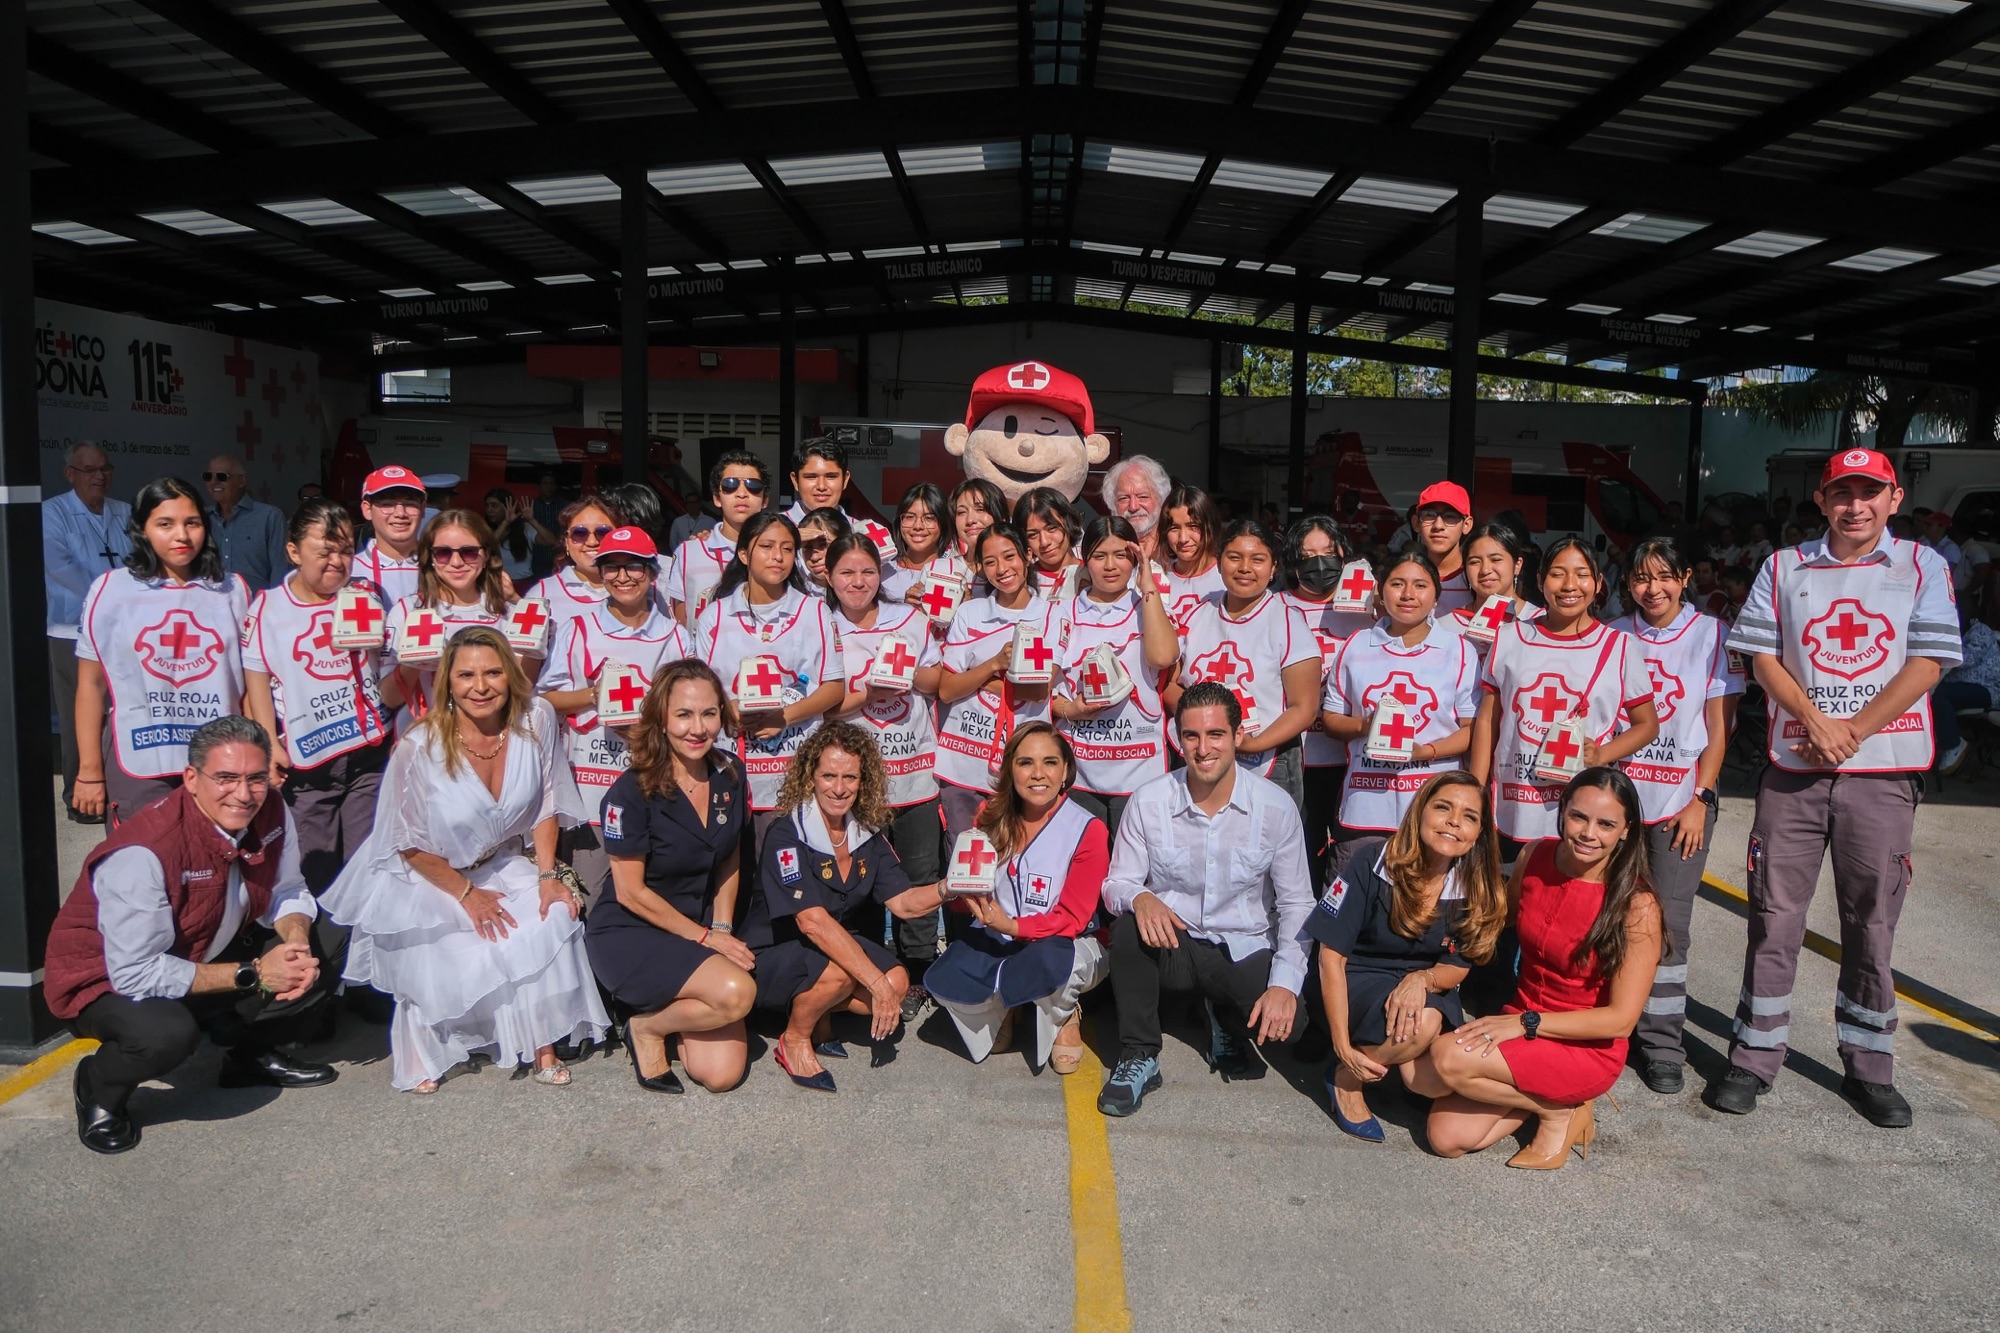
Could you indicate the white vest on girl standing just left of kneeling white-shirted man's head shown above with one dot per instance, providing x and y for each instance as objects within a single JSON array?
[{"x": 1125, "y": 746}]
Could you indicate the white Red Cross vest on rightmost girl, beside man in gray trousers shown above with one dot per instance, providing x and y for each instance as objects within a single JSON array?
[{"x": 1689, "y": 665}]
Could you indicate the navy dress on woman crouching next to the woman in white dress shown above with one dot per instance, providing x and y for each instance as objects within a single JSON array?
[{"x": 635, "y": 960}]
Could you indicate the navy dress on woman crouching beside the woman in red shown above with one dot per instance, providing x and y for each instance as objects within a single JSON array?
[{"x": 1353, "y": 922}]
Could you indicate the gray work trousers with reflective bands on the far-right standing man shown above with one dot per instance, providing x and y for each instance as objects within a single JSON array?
[{"x": 1869, "y": 822}]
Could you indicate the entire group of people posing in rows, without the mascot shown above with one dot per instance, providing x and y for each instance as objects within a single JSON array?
[{"x": 1449, "y": 822}]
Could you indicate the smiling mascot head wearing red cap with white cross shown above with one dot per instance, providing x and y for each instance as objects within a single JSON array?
[{"x": 1029, "y": 425}]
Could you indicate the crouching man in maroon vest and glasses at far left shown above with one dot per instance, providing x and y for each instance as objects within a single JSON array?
[{"x": 191, "y": 918}]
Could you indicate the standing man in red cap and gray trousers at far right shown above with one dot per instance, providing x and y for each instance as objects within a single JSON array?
[{"x": 1847, "y": 635}]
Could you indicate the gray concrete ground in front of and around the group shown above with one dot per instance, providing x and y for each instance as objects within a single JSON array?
[{"x": 937, "y": 1194}]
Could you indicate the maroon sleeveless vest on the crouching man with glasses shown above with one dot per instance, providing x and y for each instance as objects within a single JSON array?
[{"x": 197, "y": 862}]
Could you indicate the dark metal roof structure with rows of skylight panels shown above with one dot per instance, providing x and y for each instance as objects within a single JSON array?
[{"x": 1701, "y": 183}]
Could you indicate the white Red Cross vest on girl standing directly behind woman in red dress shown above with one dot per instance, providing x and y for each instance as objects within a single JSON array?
[{"x": 1539, "y": 680}]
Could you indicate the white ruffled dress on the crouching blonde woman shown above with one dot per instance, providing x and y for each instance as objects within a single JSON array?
[{"x": 461, "y": 996}]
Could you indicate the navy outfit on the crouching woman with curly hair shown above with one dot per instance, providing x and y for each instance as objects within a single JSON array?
[{"x": 795, "y": 878}]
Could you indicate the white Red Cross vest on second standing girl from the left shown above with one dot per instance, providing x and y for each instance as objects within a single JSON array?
[{"x": 327, "y": 700}]
